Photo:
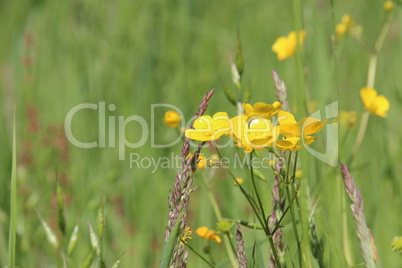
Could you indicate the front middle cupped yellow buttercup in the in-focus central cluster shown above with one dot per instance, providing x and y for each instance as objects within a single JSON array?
[{"x": 254, "y": 135}]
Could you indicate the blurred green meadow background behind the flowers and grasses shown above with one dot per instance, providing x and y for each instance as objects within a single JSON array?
[{"x": 57, "y": 54}]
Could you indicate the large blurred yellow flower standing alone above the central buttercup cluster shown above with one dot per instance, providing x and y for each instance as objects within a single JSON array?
[{"x": 285, "y": 47}]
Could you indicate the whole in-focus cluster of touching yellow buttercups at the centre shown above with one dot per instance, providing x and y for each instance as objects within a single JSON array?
[{"x": 255, "y": 130}]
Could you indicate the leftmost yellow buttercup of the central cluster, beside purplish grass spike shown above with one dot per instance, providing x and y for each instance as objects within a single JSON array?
[{"x": 207, "y": 128}]
